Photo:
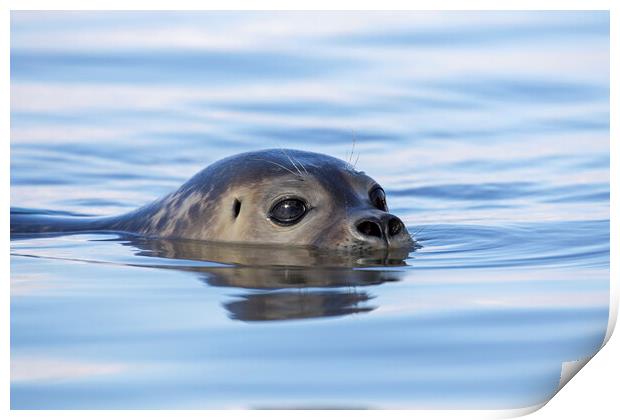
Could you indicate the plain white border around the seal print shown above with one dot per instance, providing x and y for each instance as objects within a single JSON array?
[{"x": 593, "y": 394}]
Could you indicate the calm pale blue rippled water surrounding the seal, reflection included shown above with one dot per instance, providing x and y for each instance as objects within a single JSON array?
[{"x": 489, "y": 131}]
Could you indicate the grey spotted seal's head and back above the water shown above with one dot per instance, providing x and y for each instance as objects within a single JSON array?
[{"x": 267, "y": 197}]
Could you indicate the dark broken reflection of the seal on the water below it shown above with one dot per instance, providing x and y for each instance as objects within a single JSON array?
[{"x": 282, "y": 283}]
